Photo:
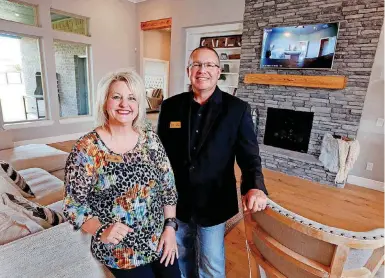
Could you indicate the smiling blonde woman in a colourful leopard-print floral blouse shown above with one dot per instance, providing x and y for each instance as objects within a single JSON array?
[{"x": 120, "y": 187}]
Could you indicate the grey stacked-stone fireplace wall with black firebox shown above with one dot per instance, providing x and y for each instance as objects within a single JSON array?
[{"x": 337, "y": 112}]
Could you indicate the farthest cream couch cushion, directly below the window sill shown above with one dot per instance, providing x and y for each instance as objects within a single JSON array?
[{"x": 35, "y": 155}]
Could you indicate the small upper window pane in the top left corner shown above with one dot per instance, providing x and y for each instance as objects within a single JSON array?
[{"x": 22, "y": 13}]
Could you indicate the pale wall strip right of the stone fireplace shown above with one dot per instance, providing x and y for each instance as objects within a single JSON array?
[{"x": 370, "y": 136}]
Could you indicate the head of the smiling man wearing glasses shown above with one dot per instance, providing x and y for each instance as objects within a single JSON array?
[{"x": 204, "y": 70}]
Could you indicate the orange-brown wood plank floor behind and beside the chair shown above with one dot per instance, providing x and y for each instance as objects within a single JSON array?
[{"x": 352, "y": 208}]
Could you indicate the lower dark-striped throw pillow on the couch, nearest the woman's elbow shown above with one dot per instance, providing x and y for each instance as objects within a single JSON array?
[{"x": 42, "y": 215}]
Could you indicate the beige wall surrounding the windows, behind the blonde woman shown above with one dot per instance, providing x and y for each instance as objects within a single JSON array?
[{"x": 113, "y": 25}]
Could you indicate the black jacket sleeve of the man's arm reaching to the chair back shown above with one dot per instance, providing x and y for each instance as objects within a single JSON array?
[{"x": 247, "y": 155}]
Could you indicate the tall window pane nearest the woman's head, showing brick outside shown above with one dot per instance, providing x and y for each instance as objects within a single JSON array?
[{"x": 72, "y": 77}]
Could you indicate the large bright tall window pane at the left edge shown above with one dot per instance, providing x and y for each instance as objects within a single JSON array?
[{"x": 21, "y": 90}]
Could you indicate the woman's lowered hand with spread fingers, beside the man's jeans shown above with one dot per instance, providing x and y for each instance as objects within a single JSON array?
[{"x": 168, "y": 244}]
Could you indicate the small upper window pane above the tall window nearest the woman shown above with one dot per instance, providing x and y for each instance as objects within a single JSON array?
[{"x": 66, "y": 23}]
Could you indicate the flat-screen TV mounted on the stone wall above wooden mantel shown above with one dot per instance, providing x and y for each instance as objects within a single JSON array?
[{"x": 299, "y": 47}]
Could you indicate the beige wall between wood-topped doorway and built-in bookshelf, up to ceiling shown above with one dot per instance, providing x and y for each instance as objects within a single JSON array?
[{"x": 186, "y": 13}]
